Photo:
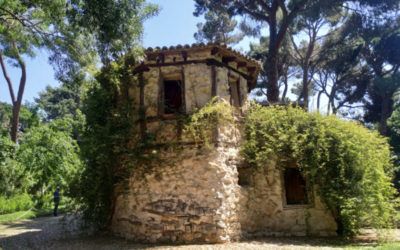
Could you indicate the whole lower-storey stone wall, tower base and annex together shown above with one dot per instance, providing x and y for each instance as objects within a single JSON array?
[{"x": 193, "y": 194}]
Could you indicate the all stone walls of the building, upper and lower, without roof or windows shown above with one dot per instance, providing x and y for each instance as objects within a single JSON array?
[{"x": 192, "y": 194}]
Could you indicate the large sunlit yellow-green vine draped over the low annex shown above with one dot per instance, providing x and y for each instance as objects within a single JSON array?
[{"x": 349, "y": 165}]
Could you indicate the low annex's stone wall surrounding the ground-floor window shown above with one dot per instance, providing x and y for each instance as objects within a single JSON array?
[{"x": 263, "y": 211}]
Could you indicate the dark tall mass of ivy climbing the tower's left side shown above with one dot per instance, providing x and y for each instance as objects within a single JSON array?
[{"x": 105, "y": 140}]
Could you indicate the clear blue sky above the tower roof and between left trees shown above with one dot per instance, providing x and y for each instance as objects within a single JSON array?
[{"x": 174, "y": 25}]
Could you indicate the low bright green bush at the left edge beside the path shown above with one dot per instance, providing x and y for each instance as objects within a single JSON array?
[{"x": 20, "y": 202}]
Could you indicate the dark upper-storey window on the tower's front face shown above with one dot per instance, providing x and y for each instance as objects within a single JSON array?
[{"x": 172, "y": 97}]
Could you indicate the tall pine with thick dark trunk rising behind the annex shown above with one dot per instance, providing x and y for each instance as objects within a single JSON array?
[{"x": 279, "y": 16}]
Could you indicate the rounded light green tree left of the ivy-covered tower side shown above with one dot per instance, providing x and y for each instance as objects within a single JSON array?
[{"x": 50, "y": 157}]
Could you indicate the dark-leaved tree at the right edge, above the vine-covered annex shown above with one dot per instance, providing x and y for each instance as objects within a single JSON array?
[{"x": 382, "y": 54}]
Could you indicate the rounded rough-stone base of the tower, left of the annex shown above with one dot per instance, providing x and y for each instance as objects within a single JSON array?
[{"x": 190, "y": 195}]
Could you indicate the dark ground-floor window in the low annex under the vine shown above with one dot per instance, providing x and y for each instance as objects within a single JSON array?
[{"x": 295, "y": 187}]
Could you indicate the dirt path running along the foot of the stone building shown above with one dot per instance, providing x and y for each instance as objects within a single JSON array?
[{"x": 63, "y": 233}]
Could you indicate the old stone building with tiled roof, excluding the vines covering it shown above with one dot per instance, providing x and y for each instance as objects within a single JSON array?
[{"x": 198, "y": 194}]
